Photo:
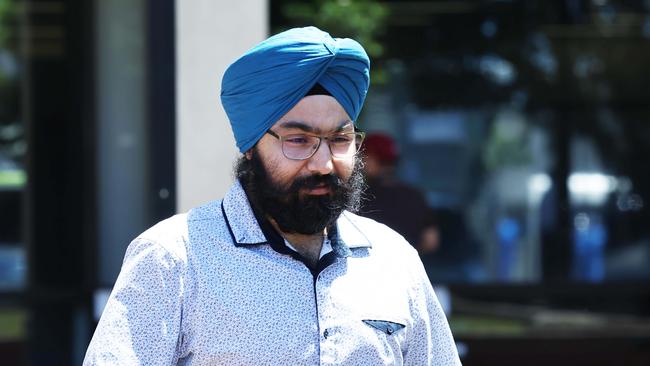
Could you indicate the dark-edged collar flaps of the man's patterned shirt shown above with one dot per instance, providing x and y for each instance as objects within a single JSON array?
[{"x": 245, "y": 228}]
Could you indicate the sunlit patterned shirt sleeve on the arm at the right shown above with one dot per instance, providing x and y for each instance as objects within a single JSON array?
[{"x": 430, "y": 342}]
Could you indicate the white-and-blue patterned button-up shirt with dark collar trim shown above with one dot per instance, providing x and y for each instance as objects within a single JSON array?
[{"x": 217, "y": 286}]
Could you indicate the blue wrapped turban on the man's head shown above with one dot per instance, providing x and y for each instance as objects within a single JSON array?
[{"x": 271, "y": 78}]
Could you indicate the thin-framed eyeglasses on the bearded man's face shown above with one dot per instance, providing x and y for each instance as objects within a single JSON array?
[{"x": 303, "y": 146}]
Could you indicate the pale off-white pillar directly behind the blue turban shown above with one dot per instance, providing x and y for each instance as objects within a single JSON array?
[{"x": 209, "y": 36}]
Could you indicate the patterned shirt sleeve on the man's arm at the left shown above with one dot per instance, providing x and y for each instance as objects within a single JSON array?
[{"x": 141, "y": 323}]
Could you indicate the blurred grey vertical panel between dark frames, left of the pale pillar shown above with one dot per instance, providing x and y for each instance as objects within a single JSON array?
[{"x": 120, "y": 51}]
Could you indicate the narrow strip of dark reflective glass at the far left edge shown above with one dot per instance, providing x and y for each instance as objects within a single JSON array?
[{"x": 13, "y": 317}]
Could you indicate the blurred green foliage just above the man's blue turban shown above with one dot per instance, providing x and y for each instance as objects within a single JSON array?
[{"x": 362, "y": 20}]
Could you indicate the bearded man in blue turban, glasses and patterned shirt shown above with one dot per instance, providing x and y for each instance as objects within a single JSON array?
[{"x": 279, "y": 272}]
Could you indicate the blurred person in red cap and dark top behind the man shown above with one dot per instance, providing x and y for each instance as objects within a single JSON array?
[{"x": 393, "y": 202}]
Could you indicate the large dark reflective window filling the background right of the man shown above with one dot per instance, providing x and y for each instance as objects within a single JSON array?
[{"x": 524, "y": 125}]
